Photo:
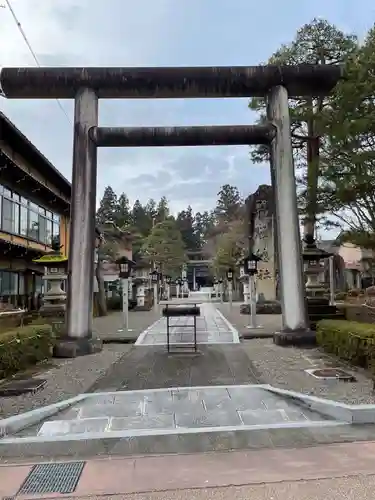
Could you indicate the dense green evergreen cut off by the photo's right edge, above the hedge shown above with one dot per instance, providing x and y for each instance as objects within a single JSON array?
[{"x": 347, "y": 177}]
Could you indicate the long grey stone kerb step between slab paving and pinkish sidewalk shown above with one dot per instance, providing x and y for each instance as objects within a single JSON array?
[{"x": 224, "y": 438}]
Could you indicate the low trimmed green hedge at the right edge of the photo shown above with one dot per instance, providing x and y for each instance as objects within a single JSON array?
[{"x": 349, "y": 340}]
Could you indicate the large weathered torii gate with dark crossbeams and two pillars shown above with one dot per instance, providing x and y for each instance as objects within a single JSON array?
[{"x": 87, "y": 85}]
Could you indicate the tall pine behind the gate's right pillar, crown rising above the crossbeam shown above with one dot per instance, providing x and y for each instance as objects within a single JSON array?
[{"x": 318, "y": 42}]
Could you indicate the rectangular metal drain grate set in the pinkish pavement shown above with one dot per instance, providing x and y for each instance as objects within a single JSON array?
[{"x": 52, "y": 478}]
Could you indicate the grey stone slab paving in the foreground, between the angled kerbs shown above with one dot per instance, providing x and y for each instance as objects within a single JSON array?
[{"x": 172, "y": 410}]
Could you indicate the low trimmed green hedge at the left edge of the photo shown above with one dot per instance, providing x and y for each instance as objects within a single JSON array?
[{"x": 23, "y": 347}]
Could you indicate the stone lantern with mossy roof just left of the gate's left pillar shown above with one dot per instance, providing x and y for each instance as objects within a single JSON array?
[{"x": 55, "y": 275}]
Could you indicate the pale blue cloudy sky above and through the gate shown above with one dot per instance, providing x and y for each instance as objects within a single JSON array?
[{"x": 158, "y": 33}]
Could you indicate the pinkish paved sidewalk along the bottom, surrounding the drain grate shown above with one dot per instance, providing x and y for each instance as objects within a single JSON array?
[{"x": 338, "y": 472}]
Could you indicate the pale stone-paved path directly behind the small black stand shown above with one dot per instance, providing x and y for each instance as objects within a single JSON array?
[{"x": 212, "y": 328}]
